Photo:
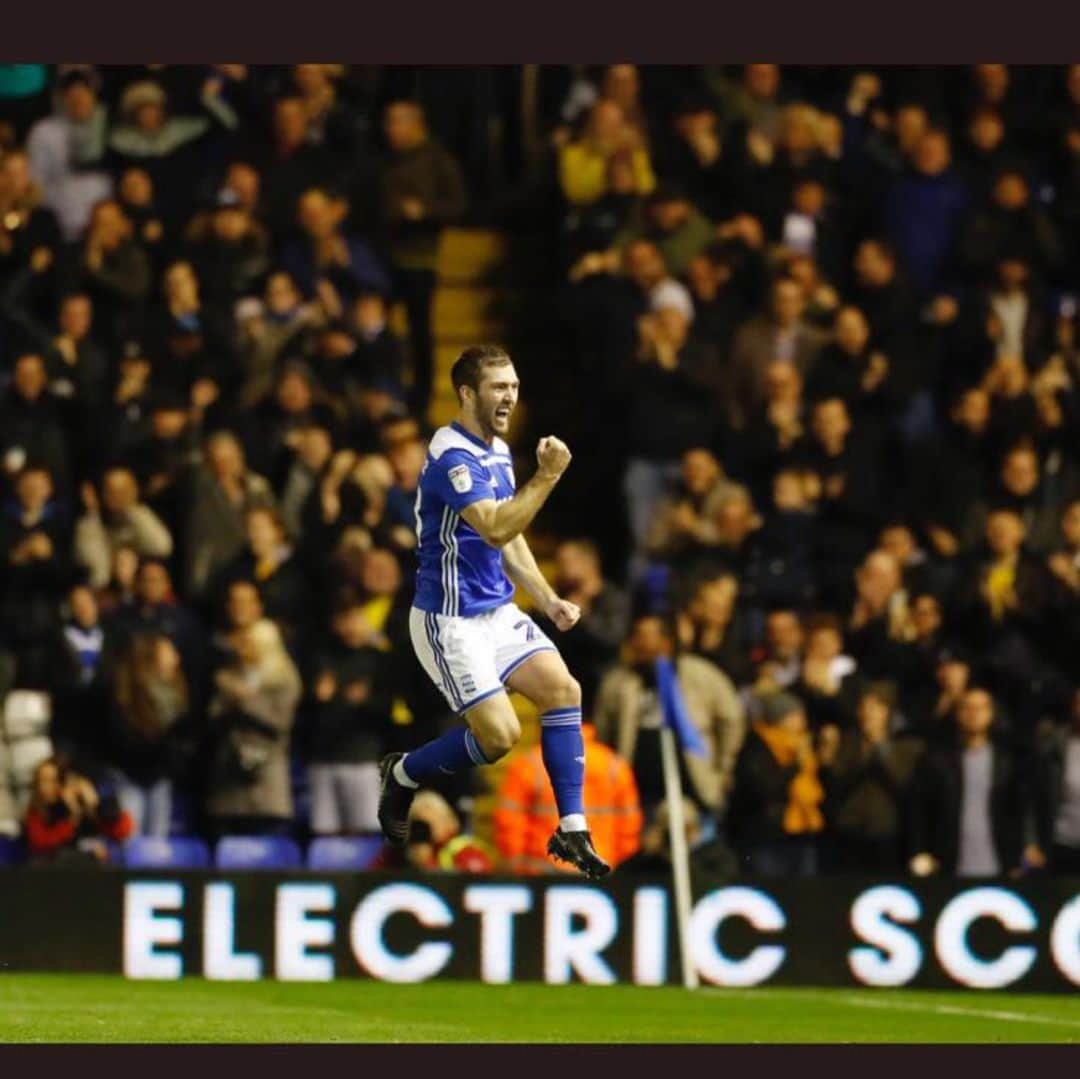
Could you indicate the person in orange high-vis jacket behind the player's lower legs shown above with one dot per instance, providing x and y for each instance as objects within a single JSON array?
[{"x": 525, "y": 813}]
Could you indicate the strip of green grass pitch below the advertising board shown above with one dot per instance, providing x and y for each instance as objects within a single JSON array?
[{"x": 104, "y": 1009}]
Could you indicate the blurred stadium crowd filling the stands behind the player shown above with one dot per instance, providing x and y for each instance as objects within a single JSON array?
[{"x": 825, "y": 349}]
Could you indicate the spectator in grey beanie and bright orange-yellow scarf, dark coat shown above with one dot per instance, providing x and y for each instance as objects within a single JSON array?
[{"x": 776, "y": 813}]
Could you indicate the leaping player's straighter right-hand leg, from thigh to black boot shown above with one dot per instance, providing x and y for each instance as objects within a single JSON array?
[{"x": 546, "y": 681}]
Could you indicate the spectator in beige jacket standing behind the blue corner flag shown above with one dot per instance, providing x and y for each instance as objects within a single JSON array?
[{"x": 629, "y": 717}]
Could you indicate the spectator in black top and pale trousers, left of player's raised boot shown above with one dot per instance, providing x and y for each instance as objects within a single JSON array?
[{"x": 348, "y": 725}]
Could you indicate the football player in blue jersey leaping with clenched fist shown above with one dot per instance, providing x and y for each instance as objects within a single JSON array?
[{"x": 471, "y": 639}]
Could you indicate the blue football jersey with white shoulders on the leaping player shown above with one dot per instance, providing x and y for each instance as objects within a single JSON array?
[{"x": 460, "y": 574}]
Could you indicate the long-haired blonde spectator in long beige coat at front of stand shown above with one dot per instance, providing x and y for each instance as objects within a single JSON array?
[{"x": 251, "y": 716}]
